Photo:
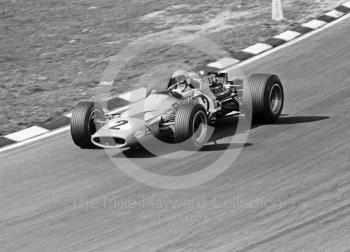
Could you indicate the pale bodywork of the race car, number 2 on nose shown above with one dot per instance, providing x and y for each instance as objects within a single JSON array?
[{"x": 143, "y": 117}]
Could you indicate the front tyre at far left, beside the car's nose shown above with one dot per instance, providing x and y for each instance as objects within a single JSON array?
[{"x": 84, "y": 123}]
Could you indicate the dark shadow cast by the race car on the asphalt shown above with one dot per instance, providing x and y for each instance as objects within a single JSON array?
[{"x": 225, "y": 127}]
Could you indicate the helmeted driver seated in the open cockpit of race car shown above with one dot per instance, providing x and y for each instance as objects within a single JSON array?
[{"x": 181, "y": 83}]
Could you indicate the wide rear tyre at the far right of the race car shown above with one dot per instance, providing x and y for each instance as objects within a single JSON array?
[{"x": 266, "y": 97}]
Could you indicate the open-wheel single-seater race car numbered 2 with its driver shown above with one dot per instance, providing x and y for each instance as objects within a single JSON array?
[{"x": 179, "y": 111}]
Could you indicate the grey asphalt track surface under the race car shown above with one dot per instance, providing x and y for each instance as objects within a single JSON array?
[{"x": 289, "y": 190}]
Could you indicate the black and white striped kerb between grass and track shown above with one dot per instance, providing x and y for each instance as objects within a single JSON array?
[{"x": 237, "y": 57}]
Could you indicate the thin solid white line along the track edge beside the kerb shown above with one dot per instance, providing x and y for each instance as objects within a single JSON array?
[{"x": 246, "y": 62}]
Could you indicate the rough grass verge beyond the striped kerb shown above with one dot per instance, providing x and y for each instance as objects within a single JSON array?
[{"x": 52, "y": 53}]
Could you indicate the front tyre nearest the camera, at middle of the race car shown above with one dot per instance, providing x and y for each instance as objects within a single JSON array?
[{"x": 191, "y": 126}]
